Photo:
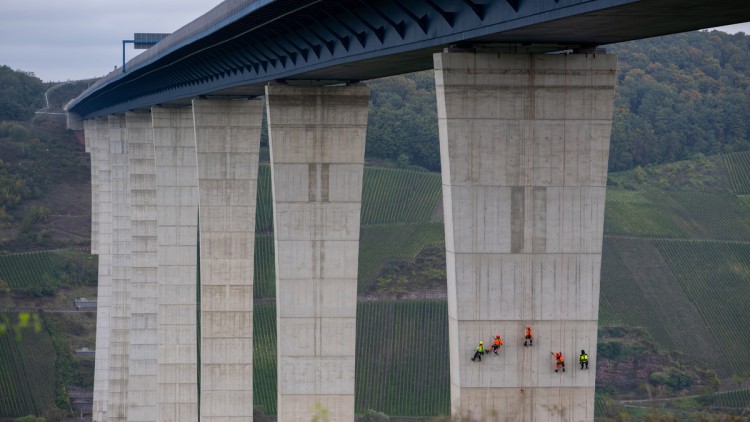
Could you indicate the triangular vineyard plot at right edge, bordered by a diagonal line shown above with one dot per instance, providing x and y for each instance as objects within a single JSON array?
[{"x": 716, "y": 277}]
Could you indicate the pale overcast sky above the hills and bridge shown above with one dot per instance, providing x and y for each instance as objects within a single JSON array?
[{"x": 78, "y": 39}]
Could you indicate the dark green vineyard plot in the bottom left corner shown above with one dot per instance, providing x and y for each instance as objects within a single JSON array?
[{"x": 25, "y": 368}]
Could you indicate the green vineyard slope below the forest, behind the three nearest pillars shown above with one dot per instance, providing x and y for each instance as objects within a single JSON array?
[{"x": 674, "y": 283}]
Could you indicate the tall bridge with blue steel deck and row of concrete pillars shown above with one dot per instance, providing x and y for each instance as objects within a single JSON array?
[{"x": 524, "y": 110}]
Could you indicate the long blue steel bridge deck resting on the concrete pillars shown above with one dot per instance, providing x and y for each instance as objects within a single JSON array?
[{"x": 242, "y": 45}]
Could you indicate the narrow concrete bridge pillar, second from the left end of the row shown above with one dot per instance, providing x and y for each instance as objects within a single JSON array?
[{"x": 120, "y": 296}]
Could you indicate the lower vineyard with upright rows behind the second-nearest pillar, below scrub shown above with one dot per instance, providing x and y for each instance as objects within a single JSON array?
[{"x": 402, "y": 358}]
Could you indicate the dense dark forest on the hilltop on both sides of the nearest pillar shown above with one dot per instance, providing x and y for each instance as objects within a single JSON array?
[{"x": 676, "y": 96}]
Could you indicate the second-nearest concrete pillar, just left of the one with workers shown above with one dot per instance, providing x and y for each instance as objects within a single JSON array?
[{"x": 317, "y": 139}]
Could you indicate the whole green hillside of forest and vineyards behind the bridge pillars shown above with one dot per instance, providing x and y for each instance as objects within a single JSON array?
[{"x": 675, "y": 270}]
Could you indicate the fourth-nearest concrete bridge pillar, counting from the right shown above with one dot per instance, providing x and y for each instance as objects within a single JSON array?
[{"x": 177, "y": 225}]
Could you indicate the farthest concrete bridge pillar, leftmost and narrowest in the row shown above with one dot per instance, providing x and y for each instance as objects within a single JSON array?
[{"x": 101, "y": 156}]
